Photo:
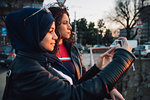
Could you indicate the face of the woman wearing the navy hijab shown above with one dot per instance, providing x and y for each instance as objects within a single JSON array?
[{"x": 49, "y": 40}]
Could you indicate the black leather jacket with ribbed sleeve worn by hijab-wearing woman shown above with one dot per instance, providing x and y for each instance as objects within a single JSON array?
[{"x": 33, "y": 78}]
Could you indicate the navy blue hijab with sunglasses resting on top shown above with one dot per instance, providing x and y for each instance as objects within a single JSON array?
[{"x": 27, "y": 35}]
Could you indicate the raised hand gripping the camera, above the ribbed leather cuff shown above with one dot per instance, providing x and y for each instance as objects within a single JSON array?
[{"x": 125, "y": 44}]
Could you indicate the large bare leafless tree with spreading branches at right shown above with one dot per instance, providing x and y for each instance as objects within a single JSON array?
[{"x": 126, "y": 13}]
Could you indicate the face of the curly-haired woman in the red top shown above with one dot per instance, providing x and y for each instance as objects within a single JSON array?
[{"x": 65, "y": 28}]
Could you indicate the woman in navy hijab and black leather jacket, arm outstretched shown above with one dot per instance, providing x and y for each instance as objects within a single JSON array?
[{"x": 36, "y": 74}]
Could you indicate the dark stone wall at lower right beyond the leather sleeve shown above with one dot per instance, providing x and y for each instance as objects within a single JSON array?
[{"x": 136, "y": 84}]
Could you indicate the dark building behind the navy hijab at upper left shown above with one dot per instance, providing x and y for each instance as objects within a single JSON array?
[{"x": 7, "y": 6}]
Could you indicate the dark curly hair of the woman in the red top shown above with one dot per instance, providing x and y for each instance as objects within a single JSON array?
[{"x": 57, "y": 13}]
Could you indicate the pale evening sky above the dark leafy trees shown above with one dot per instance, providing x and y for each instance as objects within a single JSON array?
[{"x": 92, "y": 10}]
